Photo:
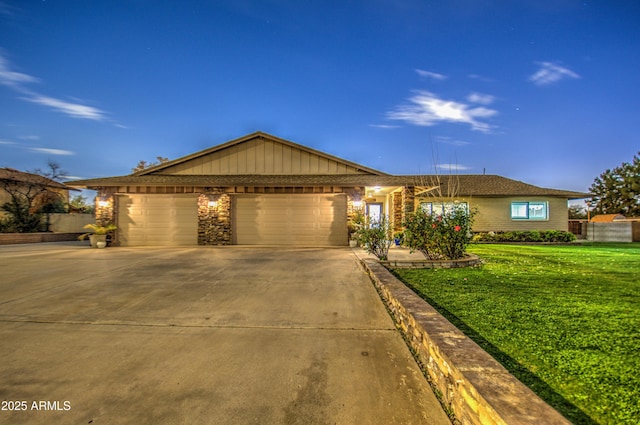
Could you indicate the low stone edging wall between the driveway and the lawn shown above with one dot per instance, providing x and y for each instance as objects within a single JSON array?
[{"x": 472, "y": 384}]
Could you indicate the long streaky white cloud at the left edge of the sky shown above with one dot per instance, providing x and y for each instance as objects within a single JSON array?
[{"x": 18, "y": 80}]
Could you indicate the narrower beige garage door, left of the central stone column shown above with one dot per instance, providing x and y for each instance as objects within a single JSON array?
[{"x": 158, "y": 220}]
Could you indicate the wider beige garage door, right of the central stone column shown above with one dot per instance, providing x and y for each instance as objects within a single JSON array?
[{"x": 303, "y": 220}]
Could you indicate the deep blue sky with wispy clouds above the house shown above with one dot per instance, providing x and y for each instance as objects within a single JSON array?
[{"x": 544, "y": 91}]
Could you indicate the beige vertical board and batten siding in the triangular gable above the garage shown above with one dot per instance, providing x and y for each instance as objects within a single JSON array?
[{"x": 260, "y": 156}]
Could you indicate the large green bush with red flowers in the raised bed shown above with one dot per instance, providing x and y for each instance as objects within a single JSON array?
[{"x": 444, "y": 236}]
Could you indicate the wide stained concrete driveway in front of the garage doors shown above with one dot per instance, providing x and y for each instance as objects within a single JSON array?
[{"x": 202, "y": 335}]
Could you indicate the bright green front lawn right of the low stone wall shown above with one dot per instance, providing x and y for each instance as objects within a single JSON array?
[{"x": 565, "y": 320}]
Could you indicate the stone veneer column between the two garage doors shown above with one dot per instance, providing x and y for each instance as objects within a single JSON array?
[{"x": 214, "y": 222}]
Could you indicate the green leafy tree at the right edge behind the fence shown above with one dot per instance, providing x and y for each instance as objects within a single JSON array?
[{"x": 617, "y": 191}]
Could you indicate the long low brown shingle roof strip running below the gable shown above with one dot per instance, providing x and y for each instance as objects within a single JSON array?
[{"x": 461, "y": 184}]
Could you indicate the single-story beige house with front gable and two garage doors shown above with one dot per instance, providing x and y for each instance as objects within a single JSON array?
[{"x": 264, "y": 190}]
